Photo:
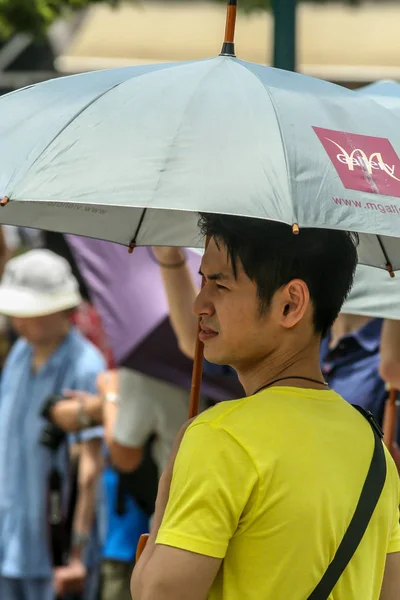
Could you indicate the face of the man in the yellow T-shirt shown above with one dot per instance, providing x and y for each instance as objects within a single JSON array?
[{"x": 232, "y": 329}]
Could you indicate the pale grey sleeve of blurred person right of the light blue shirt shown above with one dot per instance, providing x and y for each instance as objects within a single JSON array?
[{"x": 136, "y": 419}]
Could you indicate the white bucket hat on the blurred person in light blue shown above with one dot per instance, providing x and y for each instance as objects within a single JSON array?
[{"x": 36, "y": 284}]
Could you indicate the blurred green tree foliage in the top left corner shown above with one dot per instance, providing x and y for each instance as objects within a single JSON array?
[{"x": 35, "y": 16}]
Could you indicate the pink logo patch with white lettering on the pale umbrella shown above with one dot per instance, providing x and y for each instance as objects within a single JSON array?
[{"x": 363, "y": 163}]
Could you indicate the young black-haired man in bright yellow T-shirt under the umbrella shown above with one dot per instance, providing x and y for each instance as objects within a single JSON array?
[{"x": 259, "y": 493}]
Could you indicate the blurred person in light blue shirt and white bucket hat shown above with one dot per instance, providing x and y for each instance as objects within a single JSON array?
[{"x": 38, "y": 291}]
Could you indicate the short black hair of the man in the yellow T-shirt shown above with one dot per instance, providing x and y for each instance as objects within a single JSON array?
[{"x": 272, "y": 255}]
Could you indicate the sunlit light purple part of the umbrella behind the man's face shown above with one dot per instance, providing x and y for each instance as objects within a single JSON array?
[{"x": 126, "y": 289}]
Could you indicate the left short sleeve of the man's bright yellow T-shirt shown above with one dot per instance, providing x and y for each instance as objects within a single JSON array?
[{"x": 214, "y": 485}]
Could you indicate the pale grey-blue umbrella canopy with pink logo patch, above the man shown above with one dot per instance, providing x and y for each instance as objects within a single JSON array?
[{"x": 132, "y": 154}]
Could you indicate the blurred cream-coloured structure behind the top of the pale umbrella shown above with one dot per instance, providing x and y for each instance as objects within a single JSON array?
[{"x": 349, "y": 45}]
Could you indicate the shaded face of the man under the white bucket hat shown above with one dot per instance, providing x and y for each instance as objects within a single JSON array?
[{"x": 40, "y": 330}]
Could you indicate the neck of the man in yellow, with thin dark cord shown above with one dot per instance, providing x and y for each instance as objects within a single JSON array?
[{"x": 285, "y": 366}]
